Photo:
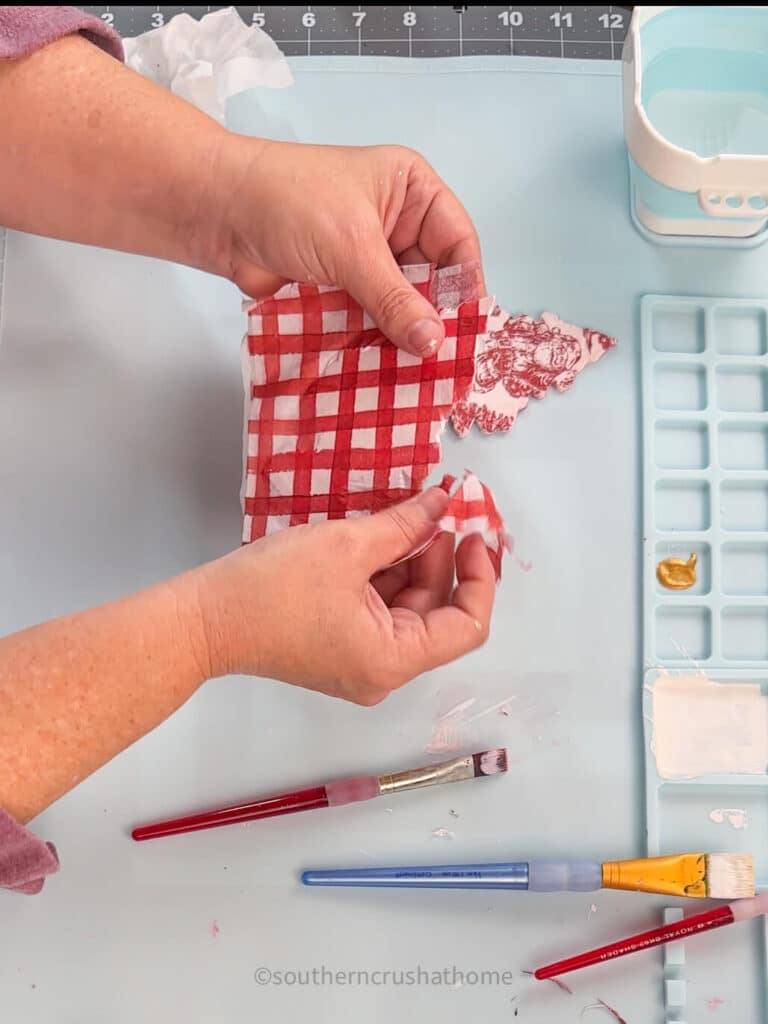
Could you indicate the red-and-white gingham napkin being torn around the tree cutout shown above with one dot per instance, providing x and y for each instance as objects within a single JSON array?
[{"x": 340, "y": 422}]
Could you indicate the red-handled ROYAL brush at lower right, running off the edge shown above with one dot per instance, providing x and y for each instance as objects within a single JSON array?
[{"x": 742, "y": 910}]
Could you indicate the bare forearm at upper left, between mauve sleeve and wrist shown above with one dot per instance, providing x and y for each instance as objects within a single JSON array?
[{"x": 91, "y": 152}]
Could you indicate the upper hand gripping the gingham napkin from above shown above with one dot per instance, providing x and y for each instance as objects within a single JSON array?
[{"x": 347, "y": 217}]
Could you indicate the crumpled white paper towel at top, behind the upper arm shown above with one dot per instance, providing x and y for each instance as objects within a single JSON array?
[{"x": 207, "y": 61}]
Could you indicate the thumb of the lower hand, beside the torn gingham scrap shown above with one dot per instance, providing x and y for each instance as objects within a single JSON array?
[{"x": 400, "y": 531}]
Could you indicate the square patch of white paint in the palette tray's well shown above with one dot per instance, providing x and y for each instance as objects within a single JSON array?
[{"x": 703, "y": 728}]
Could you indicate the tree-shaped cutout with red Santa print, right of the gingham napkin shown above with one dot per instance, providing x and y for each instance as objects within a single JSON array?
[{"x": 522, "y": 359}]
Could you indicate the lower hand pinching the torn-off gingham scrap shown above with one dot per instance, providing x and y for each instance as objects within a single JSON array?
[{"x": 312, "y": 606}]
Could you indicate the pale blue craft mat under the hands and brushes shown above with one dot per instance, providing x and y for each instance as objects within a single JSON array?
[{"x": 120, "y": 460}]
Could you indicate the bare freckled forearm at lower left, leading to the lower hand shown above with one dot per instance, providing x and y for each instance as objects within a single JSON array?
[{"x": 76, "y": 692}]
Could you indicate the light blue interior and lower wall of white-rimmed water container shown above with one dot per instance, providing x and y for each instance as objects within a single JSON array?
[{"x": 705, "y": 89}]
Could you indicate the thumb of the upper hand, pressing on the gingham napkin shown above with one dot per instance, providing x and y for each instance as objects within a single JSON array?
[{"x": 399, "y": 311}]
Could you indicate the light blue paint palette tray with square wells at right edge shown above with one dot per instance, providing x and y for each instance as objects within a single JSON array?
[{"x": 705, "y": 386}]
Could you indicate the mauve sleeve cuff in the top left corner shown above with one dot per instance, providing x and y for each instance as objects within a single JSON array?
[{"x": 24, "y": 30}]
